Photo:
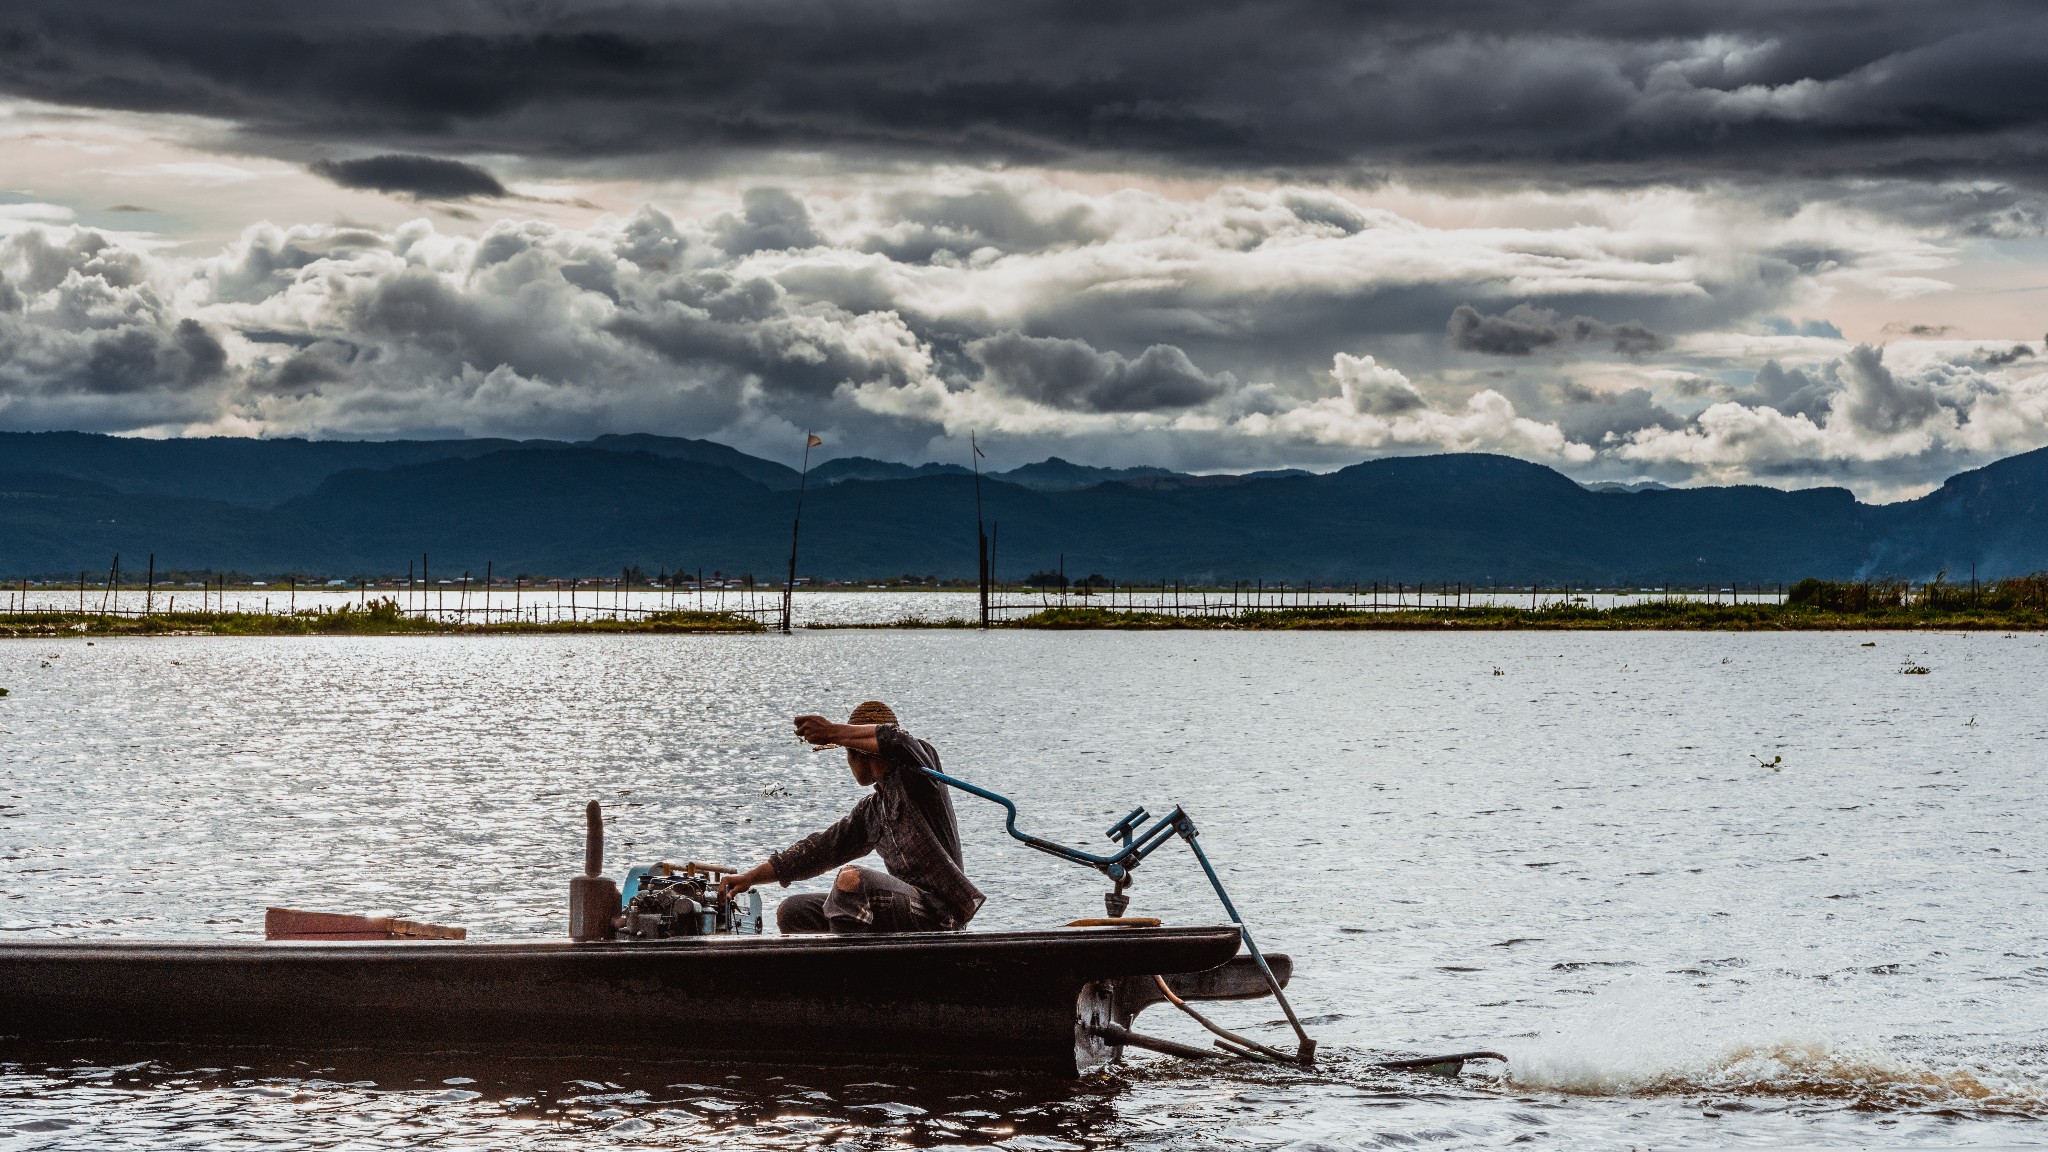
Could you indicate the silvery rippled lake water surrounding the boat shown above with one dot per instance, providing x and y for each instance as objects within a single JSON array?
[{"x": 1570, "y": 848}]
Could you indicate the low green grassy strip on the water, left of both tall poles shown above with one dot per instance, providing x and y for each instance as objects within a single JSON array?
[{"x": 382, "y": 618}]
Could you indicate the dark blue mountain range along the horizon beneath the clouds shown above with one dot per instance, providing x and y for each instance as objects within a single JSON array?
[{"x": 71, "y": 501}]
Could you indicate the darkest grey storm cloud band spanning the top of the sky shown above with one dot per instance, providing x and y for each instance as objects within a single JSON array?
[{"x": 1582, "y": 87}]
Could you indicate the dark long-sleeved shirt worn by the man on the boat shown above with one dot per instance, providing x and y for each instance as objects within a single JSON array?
[{"x": 908, "y": 821}]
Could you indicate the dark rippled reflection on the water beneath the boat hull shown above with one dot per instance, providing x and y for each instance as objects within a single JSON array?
[{"x": 185, "y": 1098}]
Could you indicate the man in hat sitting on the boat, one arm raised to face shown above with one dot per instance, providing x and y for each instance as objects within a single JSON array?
[{"x": 908, "y": 821}]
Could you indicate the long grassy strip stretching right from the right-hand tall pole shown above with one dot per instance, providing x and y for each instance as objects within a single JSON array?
[{"x": 1654, "y": 616}]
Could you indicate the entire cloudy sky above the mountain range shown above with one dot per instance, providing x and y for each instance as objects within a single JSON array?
[{"x": 1744, "y": 241}]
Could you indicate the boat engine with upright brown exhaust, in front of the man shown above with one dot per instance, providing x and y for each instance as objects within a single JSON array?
[{"x": 658, "y": 901}]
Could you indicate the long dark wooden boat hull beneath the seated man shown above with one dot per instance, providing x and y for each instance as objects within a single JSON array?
[{"x": 935, "y": 999}]
